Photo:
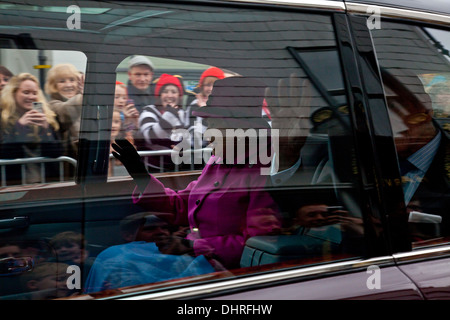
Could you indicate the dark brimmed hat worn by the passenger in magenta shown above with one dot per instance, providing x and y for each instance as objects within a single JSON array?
[{"x": 235, "y": 102}]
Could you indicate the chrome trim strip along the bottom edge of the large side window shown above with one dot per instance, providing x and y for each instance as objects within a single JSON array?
[{"x": 248, "y": 282}]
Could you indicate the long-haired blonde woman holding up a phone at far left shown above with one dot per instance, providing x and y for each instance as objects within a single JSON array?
[{"x": 26, "y": 130}]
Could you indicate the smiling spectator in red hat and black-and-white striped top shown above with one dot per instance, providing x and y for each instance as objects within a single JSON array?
[{"x": 158, "y": 123}]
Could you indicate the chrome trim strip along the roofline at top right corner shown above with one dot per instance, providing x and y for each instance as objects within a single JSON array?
[{"x": 398, "y": 13}]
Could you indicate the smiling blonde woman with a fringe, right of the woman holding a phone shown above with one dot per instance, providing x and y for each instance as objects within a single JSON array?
[{"x": 64, "y": 87}]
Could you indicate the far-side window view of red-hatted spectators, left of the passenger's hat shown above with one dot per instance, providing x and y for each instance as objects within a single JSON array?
[{"x": 142, "y": 99}]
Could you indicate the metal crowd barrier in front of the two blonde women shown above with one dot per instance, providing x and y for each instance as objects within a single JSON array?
[{"x": 40, "y": 160}]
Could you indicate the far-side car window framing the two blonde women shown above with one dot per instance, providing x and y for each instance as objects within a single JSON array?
[{"x": 36, "y": 148}]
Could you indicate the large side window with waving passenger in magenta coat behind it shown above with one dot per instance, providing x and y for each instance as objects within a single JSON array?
[{"x": 260, "y": 93}]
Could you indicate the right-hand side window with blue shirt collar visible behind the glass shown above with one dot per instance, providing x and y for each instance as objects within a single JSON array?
[{"x": 415, "y": 69}]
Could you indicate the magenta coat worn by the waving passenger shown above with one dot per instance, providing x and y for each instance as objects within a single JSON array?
[{"x": 224, "y": 207}]
